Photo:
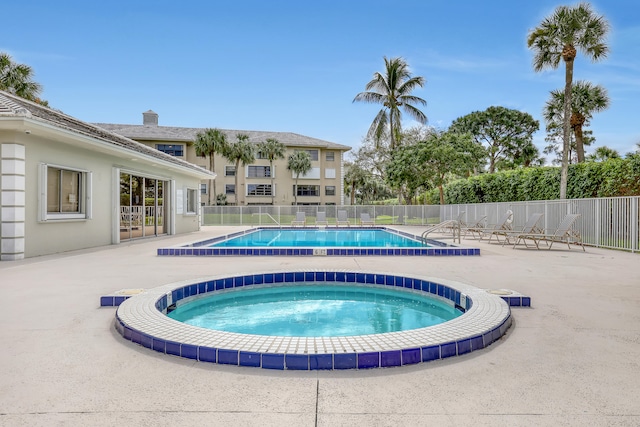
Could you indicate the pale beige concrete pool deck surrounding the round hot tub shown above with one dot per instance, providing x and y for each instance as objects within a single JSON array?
[{"x": 572, "y": 359}]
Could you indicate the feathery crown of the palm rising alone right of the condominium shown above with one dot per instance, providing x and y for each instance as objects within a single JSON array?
[{"x": 392, "y": 89}]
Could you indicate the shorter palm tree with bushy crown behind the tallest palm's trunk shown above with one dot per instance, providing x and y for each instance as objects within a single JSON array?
[{"x": 586, "y": 99}]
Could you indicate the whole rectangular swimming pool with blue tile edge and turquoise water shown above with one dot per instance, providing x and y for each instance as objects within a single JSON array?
[{"x": 325, "y": 241}]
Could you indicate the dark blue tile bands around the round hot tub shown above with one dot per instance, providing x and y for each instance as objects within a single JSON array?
[{"x": 163, "y": 298}]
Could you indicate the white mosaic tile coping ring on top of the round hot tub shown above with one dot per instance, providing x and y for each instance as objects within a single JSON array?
[{"x": 487, "y": 312}]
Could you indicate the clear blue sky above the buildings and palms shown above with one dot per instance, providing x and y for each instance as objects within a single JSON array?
[{"x": 295, "y": 66}]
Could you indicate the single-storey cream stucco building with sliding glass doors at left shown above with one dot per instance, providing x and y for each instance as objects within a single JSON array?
[{"x": 66, "y": 184}]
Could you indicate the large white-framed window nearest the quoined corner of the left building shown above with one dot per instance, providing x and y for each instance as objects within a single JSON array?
[{"x": 67, "y": 193}]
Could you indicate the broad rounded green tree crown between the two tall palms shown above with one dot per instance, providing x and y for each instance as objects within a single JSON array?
[{"x": 507, "y": 135}]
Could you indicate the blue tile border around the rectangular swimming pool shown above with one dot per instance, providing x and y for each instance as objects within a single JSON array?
[{"x": 200, "y": 248}]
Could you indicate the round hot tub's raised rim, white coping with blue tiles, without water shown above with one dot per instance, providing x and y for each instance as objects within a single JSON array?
[{"x": 143, "y": 319}]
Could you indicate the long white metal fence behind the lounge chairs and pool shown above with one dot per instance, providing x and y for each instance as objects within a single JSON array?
[{"x": 607, "y": 222}]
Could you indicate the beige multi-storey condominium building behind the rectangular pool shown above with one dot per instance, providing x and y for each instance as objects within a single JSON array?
[{"x": 322, "y": 185}]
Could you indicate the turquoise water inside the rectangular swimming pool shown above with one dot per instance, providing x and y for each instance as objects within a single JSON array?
[{"x": 321, "y": 238}]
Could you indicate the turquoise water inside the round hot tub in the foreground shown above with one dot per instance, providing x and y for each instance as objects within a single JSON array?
[{"x": 314, "y": 310}]
